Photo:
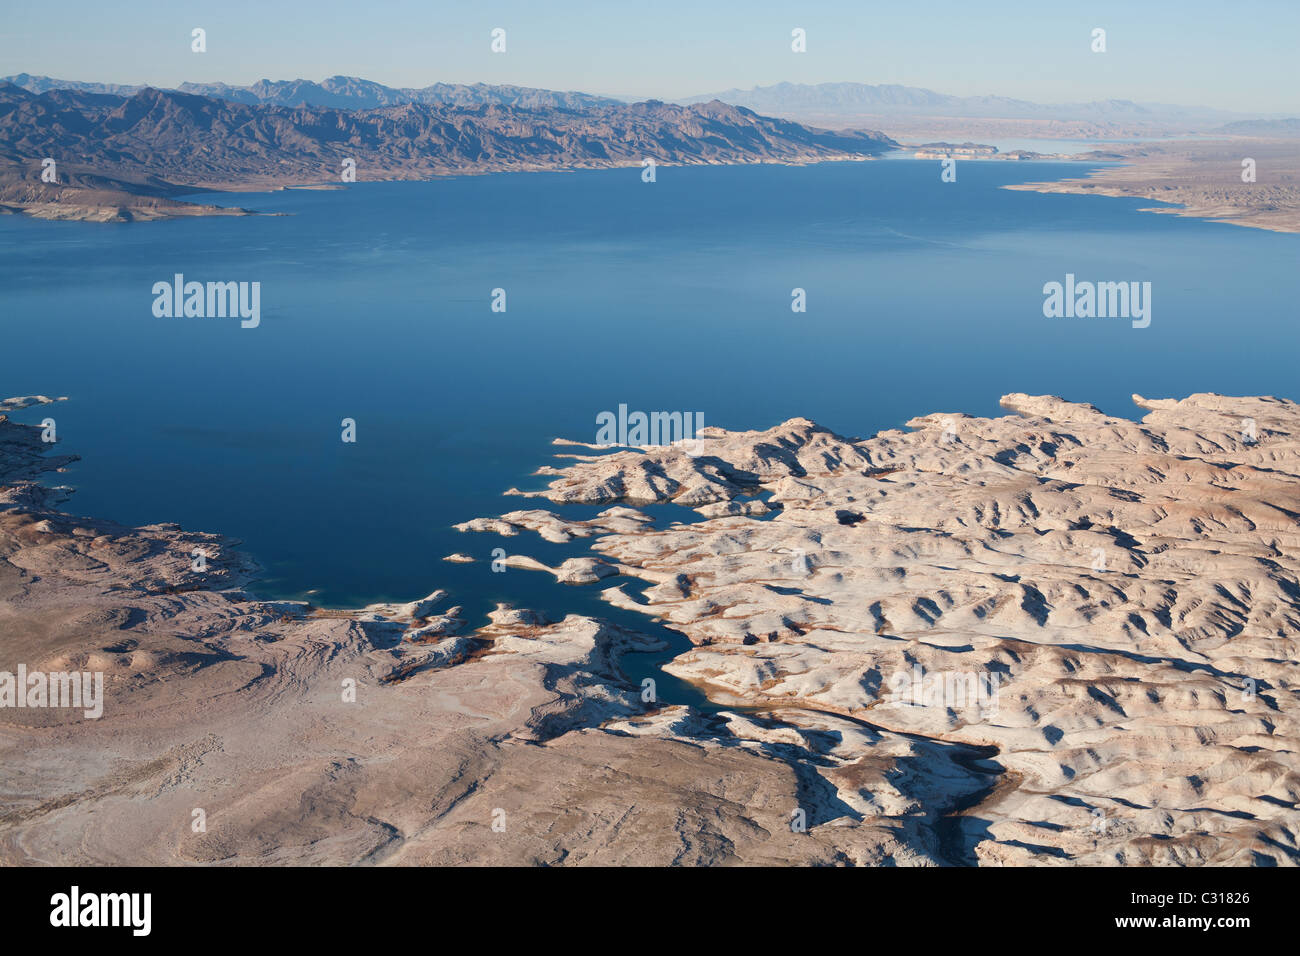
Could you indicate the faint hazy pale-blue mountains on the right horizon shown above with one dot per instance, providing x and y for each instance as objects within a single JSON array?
[{"x": 865, "y": 100}]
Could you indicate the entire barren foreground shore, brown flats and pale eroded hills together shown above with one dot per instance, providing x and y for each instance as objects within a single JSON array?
[{"x": 1132, "y": 592}]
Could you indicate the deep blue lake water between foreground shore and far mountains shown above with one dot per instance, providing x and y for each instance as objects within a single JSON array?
[{"x": 677, "y": 296}]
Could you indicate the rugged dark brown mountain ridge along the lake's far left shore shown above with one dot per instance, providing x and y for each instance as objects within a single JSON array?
[{"x": 164, "y": 142}]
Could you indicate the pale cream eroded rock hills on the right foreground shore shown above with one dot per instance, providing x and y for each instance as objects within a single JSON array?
[{"x": 1111, "y": 607}]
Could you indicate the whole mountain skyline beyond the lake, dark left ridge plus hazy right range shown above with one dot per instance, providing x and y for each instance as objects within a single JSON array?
[{"x": 116, "y": 144}]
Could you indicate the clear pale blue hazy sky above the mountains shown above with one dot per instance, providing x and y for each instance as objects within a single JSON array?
[{"x": 1230, "y": 55}]
